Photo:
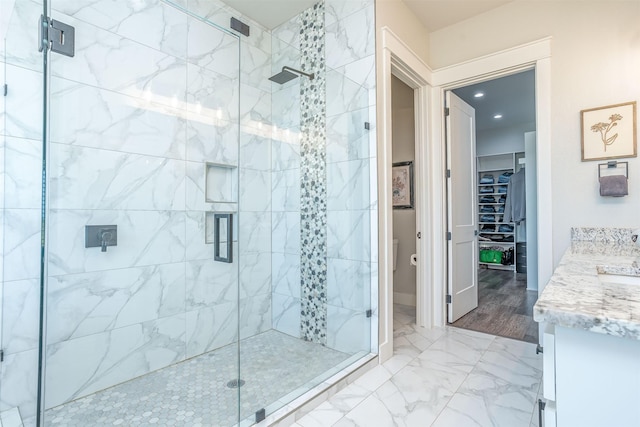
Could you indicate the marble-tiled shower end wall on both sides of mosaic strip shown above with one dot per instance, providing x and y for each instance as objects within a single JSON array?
[{"x": 351, "y": 177}]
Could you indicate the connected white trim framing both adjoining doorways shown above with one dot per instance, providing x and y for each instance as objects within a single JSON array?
[{"x": 395, "y": 57}]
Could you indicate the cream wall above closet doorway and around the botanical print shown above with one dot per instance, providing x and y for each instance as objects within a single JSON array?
[{"x": 595, "y": 62}]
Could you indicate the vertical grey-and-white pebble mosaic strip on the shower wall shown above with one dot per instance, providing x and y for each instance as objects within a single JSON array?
[{"x": 313, "y": 178}]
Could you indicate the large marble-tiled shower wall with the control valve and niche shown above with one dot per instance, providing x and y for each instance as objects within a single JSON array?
[{"x": 134, "y": 116}]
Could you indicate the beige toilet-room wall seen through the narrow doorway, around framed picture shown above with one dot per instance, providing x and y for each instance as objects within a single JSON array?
[{"x": 404, "y": 220}]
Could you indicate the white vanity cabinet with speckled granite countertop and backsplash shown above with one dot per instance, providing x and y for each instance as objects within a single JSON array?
[{"x": 590, "y": 309}]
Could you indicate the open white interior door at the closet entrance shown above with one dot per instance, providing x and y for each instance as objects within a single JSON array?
[{"x": 461, "y": 190}]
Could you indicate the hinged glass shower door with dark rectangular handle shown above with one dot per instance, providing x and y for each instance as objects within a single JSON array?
[{"x": 142, "y": 266}]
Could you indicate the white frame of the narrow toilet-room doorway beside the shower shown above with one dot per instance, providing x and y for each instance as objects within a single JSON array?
[{"x": 394, "y": 57}]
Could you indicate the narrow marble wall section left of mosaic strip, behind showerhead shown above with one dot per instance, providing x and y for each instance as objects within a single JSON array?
[{"x": 285, "y": 165}]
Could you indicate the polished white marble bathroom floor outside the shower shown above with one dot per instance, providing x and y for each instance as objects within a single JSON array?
[{"x": 442, "y": 377}]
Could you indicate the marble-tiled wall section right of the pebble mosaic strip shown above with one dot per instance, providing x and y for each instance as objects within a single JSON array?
[{"x": 351, "y": 176}]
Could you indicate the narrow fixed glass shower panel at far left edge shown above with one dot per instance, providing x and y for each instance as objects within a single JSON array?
[{"x": 21, "y": 78}]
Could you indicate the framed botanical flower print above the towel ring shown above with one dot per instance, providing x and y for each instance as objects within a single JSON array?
[{"x": 609, "y": 132}]
